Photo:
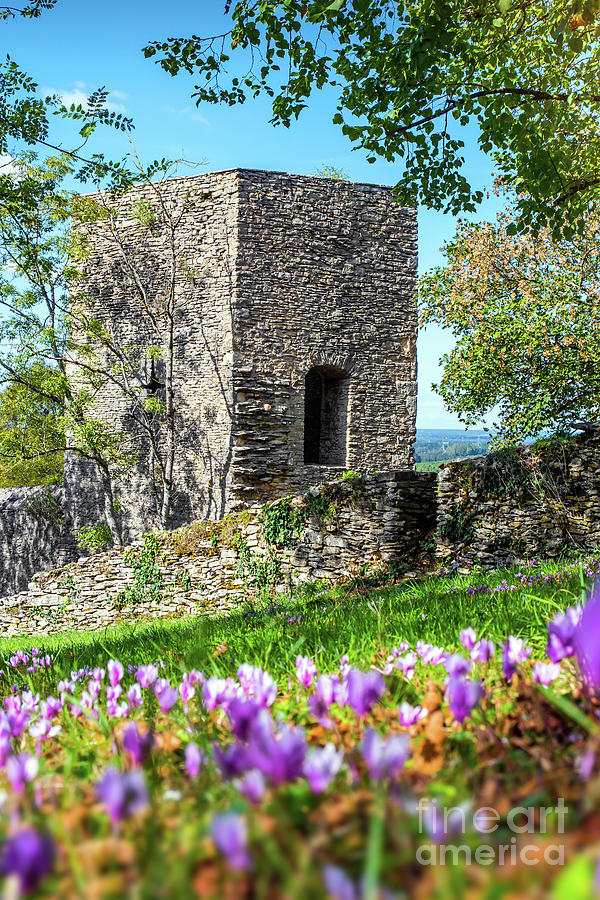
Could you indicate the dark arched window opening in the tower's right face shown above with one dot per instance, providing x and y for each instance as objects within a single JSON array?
[{"x": 325, "y": 416}]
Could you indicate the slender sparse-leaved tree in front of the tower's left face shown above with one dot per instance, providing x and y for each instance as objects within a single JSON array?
[{"x": 58, "y": 343}]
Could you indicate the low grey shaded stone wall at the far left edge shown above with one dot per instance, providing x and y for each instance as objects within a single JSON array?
[{"x": 35, "y": 534}]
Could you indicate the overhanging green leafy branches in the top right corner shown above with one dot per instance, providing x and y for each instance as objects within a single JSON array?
[{"x": 407, "y": 72}]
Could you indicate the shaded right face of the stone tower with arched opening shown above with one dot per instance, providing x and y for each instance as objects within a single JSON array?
[{"x": 325, "y": 281}]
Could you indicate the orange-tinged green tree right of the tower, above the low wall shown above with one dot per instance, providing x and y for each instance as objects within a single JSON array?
[{"x": 525, "y": 311}]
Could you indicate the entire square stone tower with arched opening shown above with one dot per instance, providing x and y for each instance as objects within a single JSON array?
[{"x": 295, "y": 342}]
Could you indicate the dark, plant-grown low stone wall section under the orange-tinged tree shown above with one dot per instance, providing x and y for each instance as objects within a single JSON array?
[{"x": 509, "y": 507}]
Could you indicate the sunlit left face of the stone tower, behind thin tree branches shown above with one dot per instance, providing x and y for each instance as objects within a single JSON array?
[{"x": 205, "y": 246}]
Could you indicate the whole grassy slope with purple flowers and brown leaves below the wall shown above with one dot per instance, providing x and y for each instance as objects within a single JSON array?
[{"x": 518, "y": 747}]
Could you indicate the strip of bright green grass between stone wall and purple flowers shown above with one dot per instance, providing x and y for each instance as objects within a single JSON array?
[{"x": 361, "y": 619}]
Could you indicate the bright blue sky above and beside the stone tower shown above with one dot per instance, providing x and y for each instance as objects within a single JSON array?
[{"x": 80, "y": 46}]
